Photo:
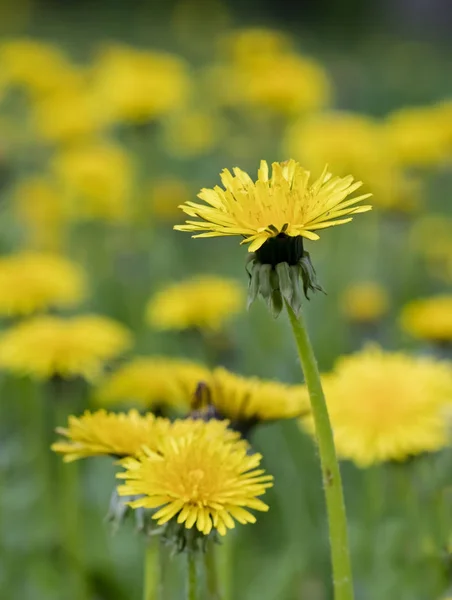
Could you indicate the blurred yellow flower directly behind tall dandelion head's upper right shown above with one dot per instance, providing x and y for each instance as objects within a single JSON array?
[{"x": 319, "y": 140}]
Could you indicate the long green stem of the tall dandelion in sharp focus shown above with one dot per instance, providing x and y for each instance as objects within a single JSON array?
[{"x": 340, "y": 556}]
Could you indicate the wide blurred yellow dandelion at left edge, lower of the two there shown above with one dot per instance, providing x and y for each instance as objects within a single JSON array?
[{"x": 46, "y": 346}]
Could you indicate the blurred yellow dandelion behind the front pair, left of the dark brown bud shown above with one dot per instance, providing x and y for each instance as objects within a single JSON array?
[{"x": 153, "y": 382}]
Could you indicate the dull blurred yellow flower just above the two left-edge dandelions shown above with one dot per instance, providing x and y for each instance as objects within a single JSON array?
[{"x": 39, "y": 209}]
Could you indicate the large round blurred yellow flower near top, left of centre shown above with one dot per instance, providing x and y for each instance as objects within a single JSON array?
[{"x": 138, "y": 85}]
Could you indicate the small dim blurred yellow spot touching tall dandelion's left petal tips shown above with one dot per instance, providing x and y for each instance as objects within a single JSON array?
[{"x": 164, "y": 196}]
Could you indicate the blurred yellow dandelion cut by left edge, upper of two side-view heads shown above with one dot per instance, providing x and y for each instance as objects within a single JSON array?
[{"x": 33, "y": 281}]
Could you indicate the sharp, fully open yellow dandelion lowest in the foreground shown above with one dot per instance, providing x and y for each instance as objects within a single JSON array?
[{"x": 198, "y": 480}]
